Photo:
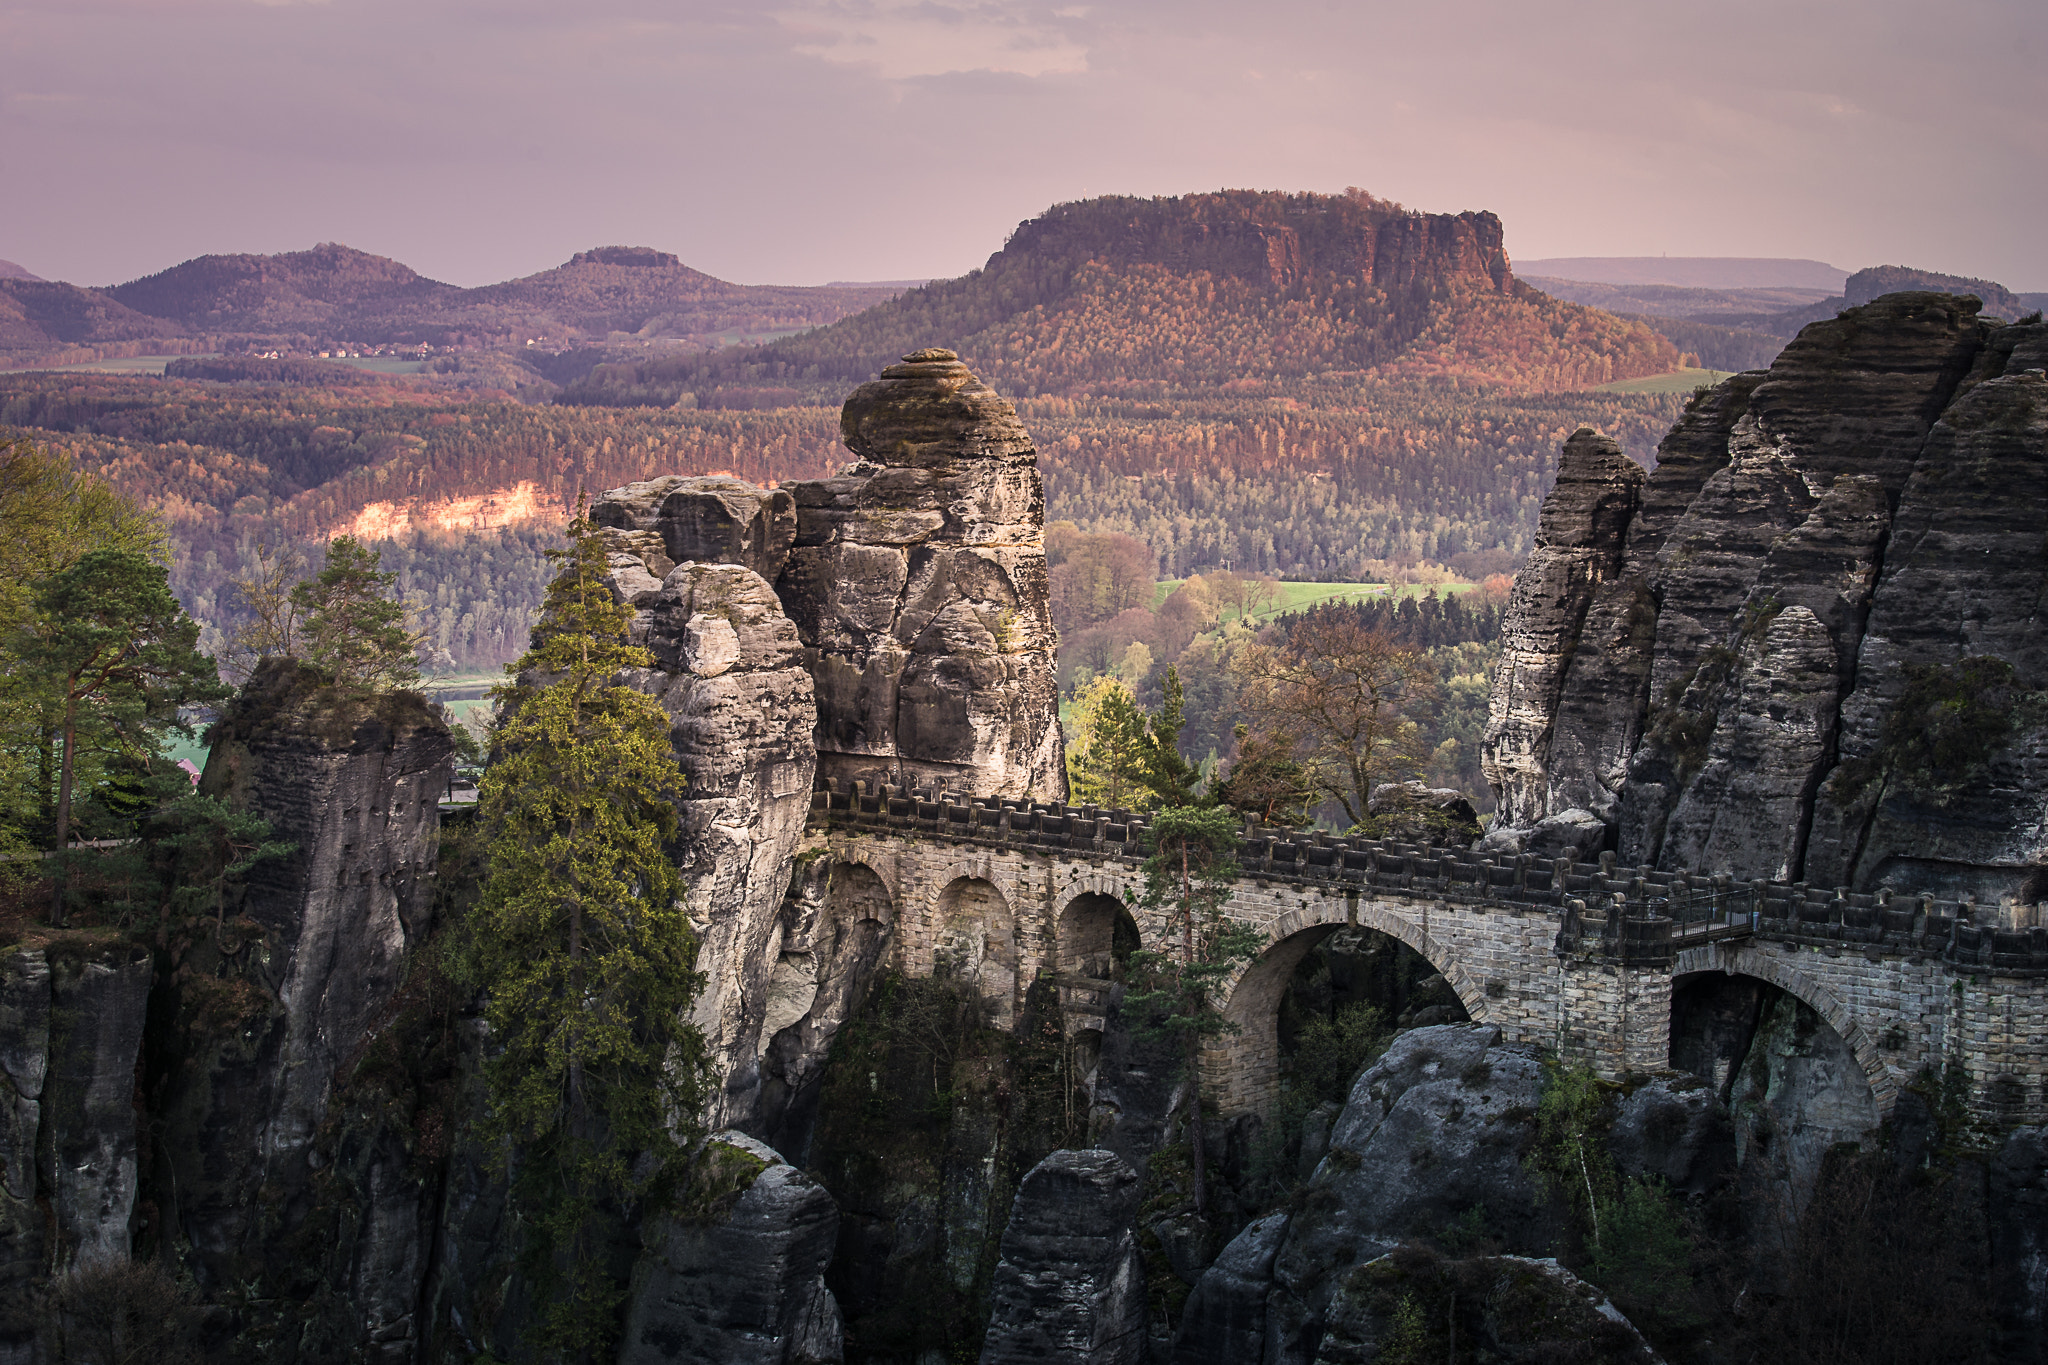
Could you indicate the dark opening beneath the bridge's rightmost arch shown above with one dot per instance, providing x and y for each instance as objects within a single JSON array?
[{"x": 1795, "y": 1090}]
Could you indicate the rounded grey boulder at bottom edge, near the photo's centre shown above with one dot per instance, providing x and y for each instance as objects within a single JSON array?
[{"x": 1070, "y": 1286}]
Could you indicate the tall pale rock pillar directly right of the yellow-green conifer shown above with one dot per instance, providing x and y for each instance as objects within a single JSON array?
[{"x": 732, "y": 676}]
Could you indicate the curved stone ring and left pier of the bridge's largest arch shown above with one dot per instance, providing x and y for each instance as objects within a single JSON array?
[{"x": 1244, "y": 1067}]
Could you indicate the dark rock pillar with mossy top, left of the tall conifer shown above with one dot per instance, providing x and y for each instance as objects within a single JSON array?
[{"x": 273, "y": 1004}]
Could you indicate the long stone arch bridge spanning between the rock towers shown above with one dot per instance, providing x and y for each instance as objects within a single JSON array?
[{"x": 1580, "y": 957}]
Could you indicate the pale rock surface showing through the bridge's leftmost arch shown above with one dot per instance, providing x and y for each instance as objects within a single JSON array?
[{"x": 837, "y": 930}]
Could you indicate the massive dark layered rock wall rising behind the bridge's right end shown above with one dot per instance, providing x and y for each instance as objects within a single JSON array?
[{"x": 1816, "y": 543}]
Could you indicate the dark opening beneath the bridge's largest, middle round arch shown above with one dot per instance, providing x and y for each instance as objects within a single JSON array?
[{"x": 1314, "y": 1014}]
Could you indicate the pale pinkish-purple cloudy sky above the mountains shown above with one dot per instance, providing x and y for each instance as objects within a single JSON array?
[{"x": 861, "y": 140}]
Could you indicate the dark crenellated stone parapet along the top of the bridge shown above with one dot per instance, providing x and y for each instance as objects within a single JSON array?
[{"x": 1969, "y": 936}]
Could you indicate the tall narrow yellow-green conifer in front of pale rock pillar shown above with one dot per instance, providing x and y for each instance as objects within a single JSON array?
[{"x": 585, "y": 951}]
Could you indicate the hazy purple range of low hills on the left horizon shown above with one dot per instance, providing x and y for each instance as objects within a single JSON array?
[{"x": 337, "y": 296}]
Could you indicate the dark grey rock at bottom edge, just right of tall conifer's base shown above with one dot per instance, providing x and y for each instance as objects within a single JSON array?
[{"x": 744, "y": 1284}]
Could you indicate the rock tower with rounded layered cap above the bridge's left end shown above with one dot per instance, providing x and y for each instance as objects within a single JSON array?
[{"x": 921, "y": 590}]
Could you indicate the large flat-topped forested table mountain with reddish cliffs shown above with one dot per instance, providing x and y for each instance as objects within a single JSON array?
[{"x": 1240, "y": 292}]
